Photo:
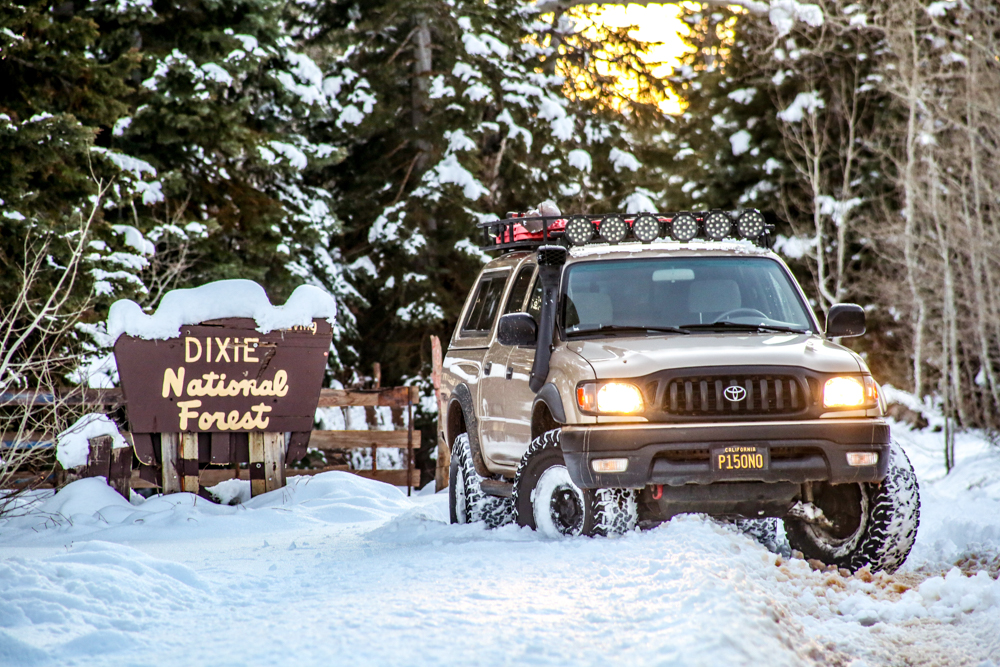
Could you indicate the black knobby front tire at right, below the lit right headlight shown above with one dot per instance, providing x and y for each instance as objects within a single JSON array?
[{"x": 889, "y": 517}]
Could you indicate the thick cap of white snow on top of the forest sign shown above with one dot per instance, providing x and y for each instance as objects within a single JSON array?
[{"x": 225, "y": 298}]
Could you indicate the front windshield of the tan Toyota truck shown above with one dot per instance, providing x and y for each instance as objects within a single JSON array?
[{"x": 694, "y": 293}]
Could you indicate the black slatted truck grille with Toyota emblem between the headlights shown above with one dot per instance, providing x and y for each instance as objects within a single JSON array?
[{"x": 756, "y": 394}]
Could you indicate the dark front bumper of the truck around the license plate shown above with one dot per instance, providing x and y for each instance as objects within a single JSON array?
[{"x": 678, "y": 454}]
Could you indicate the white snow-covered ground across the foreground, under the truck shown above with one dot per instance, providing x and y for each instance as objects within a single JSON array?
[{"x": 340, "y": 570}]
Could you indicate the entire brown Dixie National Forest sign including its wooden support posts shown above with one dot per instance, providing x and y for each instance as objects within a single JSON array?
[{"x": 223, "y": 393}]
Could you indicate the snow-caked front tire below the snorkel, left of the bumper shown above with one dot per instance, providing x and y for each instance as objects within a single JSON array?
[{"x": 596, "y": 511}]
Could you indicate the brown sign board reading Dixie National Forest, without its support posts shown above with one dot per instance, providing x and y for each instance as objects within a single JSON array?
[{"x": 224, "y": 376}]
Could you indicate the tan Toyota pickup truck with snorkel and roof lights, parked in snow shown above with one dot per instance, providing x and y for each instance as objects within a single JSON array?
[{"x": 609, "y": 372}]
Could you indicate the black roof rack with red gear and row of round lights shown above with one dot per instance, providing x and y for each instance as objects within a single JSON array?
[{"x": 519, "y": 231}]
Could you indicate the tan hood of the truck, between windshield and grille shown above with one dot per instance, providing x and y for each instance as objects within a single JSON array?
[{"x": 624, "y": 357}]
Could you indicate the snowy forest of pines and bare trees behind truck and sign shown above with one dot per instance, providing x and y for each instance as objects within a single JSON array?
[{"x": 148, "y": 145}]
